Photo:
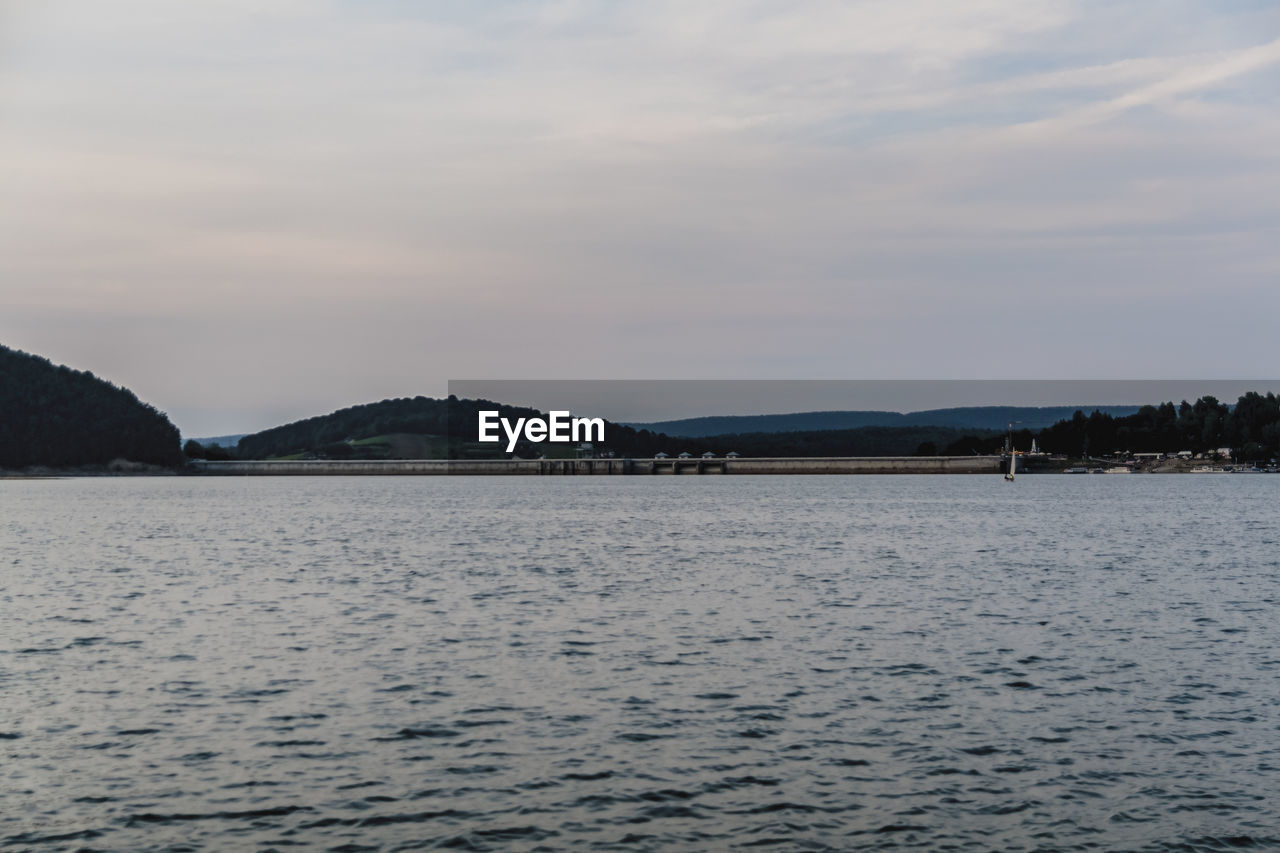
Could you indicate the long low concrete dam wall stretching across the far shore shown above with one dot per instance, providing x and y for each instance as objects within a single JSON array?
[{"x": 607, "y": 467}]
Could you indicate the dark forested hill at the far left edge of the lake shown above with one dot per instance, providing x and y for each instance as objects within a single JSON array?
[{"x": 56, "y": 417}]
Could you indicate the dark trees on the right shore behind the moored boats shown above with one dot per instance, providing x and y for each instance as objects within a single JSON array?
[{"x": 1252, "y": 428}]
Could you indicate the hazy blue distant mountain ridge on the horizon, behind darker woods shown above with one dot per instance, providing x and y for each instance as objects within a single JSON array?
[{"x": 957, "y": 418}]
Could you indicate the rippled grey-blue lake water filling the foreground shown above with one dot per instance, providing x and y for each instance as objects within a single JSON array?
[{"x": 634, "y": 664}]
